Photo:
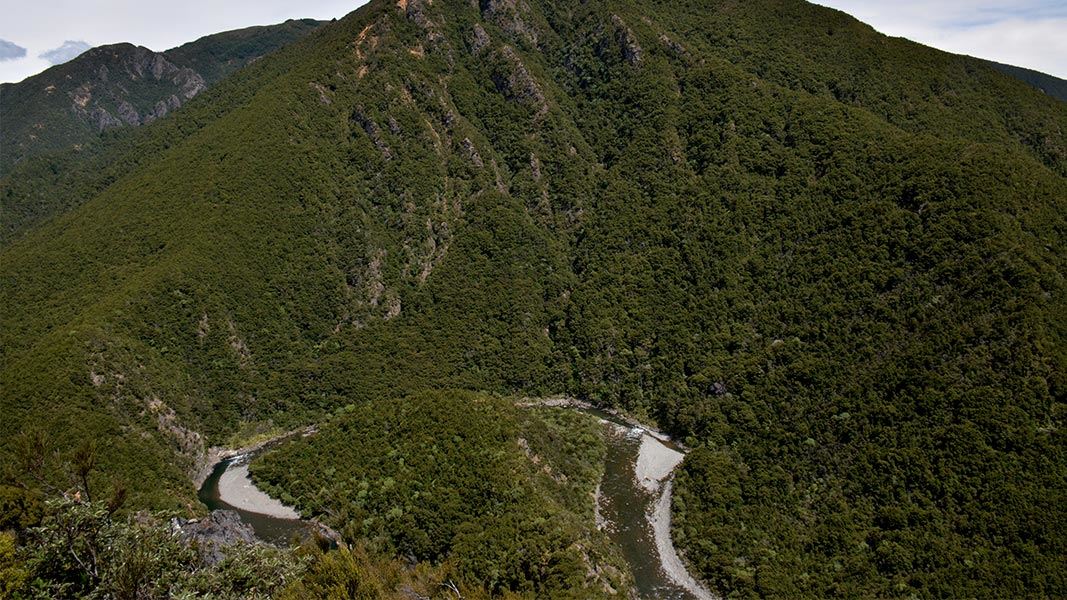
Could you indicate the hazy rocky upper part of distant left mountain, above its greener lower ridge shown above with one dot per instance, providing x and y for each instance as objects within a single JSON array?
[{"x": 122, "y": 85}]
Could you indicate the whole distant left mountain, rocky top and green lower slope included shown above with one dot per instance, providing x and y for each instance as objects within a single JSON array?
[{"x": 67, "y": 133}]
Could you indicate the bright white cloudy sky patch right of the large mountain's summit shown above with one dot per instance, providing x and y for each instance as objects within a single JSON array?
[{"x": 1029, "y": 34}]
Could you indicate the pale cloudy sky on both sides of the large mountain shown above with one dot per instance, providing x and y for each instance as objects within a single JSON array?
[{"x": 1031, "y": 34}]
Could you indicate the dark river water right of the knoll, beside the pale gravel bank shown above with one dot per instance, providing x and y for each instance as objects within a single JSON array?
[{"x": 625, "y": 506}]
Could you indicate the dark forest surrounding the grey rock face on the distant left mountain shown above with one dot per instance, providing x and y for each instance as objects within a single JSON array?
[{"x": 73, "y": 162}]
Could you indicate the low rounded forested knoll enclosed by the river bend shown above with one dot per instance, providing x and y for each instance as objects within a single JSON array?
[{"x": 507, "y": 499}]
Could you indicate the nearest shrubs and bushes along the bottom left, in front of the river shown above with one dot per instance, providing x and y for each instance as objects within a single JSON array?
[{"x": 83, "y": 550}]
